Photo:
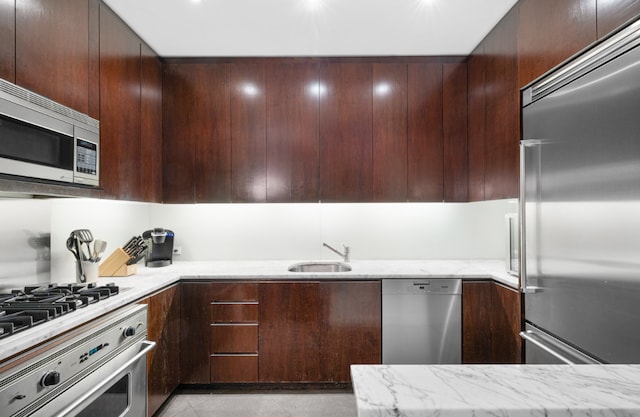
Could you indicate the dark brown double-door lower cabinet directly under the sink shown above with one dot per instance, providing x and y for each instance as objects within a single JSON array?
[{"x": 314, "y": 331}]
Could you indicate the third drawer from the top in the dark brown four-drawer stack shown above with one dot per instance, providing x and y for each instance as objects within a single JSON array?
[{"x": 228, "y": 338}]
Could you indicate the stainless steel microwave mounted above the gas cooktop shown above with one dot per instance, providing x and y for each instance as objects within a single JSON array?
[{"x": 44, "y": 140}]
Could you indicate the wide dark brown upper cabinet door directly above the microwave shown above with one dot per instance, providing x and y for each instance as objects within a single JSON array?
[{"x": 52, "y": 49}]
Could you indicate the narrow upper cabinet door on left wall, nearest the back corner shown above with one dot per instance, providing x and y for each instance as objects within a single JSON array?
[{"x": 151, "y": 127}]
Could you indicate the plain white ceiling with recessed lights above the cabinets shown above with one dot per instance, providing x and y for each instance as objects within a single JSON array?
[{"x": 311, "y": 27}]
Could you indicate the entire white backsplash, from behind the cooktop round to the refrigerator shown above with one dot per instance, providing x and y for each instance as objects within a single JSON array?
[{"x": 250, "y": 231}]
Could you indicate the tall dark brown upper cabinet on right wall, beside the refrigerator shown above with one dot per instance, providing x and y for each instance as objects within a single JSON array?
[{"x": 494, "y": 106}]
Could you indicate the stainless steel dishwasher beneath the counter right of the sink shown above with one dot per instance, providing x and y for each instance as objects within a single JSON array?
[{"x": 421, "y": 321}]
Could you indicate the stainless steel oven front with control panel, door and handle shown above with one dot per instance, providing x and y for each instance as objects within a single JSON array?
[{"x": 99, "y": 370}]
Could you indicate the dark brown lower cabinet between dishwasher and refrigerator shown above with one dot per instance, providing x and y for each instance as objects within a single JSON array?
[{"x": 491, "y": 321}]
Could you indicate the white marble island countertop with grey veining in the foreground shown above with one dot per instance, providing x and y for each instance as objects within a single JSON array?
[{"x": 497, "y": 390}]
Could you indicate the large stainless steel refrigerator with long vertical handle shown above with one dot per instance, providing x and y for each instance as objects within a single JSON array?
[{"x": 580, "y": 207}]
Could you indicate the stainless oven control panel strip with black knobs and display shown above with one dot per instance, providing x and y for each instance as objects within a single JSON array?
[{"x": 37, "y": 380}]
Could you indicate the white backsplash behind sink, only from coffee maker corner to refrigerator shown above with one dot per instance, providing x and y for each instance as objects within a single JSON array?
[{"x": 372, "y": 230}]
